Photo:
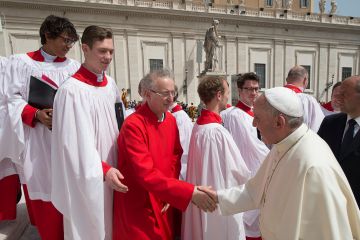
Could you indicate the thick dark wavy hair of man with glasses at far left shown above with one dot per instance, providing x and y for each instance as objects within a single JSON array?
[{"x": 54, "y": 26}]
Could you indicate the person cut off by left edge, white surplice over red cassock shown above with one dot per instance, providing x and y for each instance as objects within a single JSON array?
[{"x": 10, "y": 188}]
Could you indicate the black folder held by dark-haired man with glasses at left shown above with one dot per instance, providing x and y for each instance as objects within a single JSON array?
[{"x": 41, "y": 94}]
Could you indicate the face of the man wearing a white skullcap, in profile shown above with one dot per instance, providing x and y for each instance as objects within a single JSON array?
[{"x": 264, "y": 121}]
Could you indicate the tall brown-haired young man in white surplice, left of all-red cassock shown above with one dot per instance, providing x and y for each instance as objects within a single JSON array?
[{"x": 83, "y": 142}]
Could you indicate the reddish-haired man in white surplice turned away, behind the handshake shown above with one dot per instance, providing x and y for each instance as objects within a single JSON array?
[{"x": 214, "y": 160}]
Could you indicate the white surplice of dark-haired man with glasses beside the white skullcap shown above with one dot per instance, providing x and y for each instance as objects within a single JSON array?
[{"x": 253, "y": 151}]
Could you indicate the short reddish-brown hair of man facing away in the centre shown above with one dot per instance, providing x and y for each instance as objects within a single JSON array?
[{"x": 209, "y": 86}]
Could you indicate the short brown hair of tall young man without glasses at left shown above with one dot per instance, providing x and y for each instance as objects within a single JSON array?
[{"x": 94, "y": 33}]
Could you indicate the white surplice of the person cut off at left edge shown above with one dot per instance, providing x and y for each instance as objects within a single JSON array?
[{"x": 7, "y": 167}]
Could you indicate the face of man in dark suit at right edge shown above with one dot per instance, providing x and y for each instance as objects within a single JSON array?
[{"x": 349, "y": 98}]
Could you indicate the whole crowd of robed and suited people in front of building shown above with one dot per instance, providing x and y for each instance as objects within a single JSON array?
[{"x": 272, "y": 167}]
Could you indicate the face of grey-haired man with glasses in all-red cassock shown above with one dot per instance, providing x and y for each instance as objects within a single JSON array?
[{"x": 162, "y": 95}]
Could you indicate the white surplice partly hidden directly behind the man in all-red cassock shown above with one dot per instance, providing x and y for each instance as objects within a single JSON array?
[{"x": 185, "y": 126}]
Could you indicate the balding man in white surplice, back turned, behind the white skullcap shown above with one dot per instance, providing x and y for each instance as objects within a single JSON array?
[{"x": 297, "y": 80}]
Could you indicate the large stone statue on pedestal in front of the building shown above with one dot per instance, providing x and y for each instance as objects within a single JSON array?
[{"x": 211, "y": 44}]
